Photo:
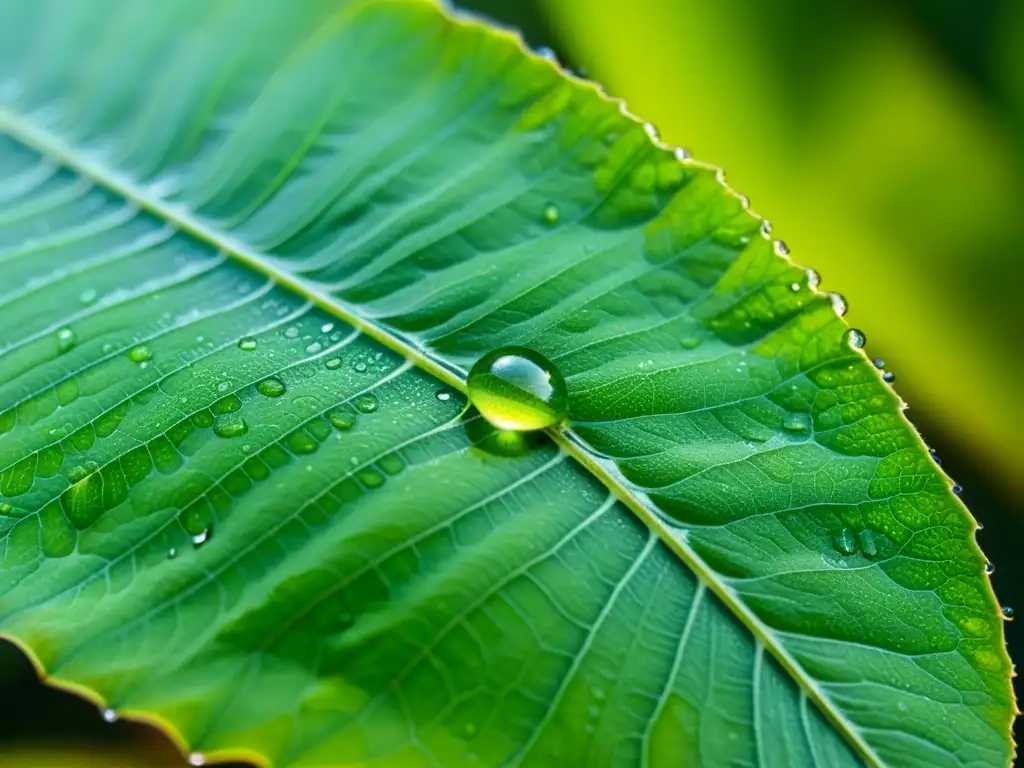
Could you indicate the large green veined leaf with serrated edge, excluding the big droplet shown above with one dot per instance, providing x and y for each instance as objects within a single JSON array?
[{"x": 248, "y": 253}]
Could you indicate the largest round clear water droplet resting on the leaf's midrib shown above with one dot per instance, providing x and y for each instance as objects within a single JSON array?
[{"x": 518, "y": 389}]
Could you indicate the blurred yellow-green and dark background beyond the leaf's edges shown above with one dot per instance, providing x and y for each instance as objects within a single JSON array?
[{"x": 885, "y": 142}]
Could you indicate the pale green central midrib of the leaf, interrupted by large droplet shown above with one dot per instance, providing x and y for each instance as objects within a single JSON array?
[{"x": 57, "y": 149}]
